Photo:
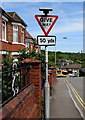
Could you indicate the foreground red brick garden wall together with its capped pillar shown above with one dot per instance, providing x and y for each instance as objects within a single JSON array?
[{"x": 27, "y": 104}]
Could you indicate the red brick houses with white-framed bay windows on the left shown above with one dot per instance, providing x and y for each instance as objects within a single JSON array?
[{"x": 13, "y": 34}]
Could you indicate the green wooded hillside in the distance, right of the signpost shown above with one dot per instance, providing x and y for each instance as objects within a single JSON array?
[{"x": 77, "y": 58}]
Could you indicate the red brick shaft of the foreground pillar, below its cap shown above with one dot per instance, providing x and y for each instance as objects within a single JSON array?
[{"x": 35, "y": 78}]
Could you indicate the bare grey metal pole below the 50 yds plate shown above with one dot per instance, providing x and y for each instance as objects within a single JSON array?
[{"x": 47, "y": 88}]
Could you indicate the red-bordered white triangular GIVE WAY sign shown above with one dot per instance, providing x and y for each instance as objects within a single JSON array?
[{"x": 46, "y": 22}]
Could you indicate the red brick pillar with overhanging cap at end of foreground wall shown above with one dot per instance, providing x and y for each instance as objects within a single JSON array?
[{"x": 35, "y": 77}]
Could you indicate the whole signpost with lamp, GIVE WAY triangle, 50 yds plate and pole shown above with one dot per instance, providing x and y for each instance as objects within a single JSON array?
[{"x": 46, "y": 22}]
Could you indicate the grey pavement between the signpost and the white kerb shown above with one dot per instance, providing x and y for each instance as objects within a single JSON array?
[{"x": 62, "y": 105}]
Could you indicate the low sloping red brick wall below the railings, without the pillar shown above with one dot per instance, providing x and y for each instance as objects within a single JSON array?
[{"x": 22, "y": 106}]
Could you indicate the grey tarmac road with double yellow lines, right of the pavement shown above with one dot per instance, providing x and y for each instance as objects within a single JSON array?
[{"x": 76, "y": 85}]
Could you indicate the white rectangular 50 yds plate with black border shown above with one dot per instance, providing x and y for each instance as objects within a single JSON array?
[{"x": 46, "y": 40}]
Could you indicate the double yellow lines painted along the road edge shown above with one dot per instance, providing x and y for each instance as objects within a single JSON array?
[{"x": 80, "y": 100}]
